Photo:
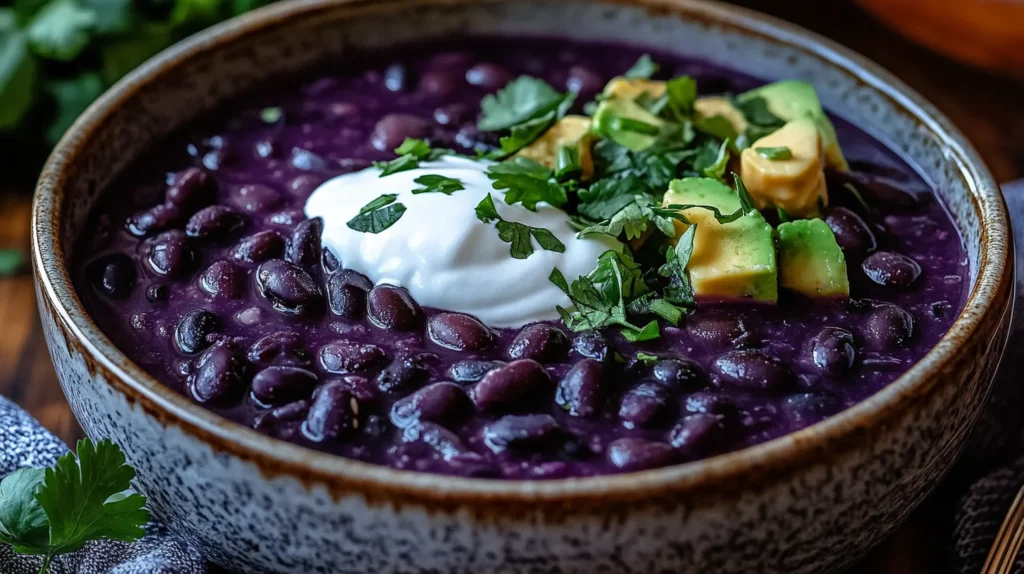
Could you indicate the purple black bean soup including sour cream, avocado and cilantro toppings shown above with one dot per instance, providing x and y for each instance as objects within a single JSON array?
[{"x": 570, "y": 259}]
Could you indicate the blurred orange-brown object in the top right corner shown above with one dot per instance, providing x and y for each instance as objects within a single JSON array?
[{"x": 985, "y": 33}]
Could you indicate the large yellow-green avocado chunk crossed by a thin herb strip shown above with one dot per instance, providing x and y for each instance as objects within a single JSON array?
[{"x": 731, "y": 260}]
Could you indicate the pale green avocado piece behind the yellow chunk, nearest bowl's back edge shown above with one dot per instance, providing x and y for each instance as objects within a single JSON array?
[{"x": 791, "y": 100}]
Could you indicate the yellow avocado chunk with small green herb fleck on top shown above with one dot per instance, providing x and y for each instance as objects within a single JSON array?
[{"x": 795, "y": 185}]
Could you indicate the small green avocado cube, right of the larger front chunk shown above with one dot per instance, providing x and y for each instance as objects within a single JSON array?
[{"x": 810, "y": 261}]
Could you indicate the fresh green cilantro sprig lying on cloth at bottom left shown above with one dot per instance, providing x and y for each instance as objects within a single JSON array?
[{"x": 57, "y": 511}]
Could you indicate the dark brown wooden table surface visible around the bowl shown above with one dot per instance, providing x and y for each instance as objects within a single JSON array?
[{"x": 990, "y": 110}]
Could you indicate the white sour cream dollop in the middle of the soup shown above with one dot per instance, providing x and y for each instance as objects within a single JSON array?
[{"x": 443, "y": 254}]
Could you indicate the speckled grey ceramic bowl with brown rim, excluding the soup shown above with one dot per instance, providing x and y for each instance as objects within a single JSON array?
[{"x": 810, "y": 502}]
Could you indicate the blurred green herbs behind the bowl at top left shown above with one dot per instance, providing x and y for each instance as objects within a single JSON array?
[{"x": 59, "y": 56}]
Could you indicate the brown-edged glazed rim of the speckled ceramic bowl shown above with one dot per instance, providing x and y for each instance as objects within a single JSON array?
[{"x": 741, "y": 469}]
